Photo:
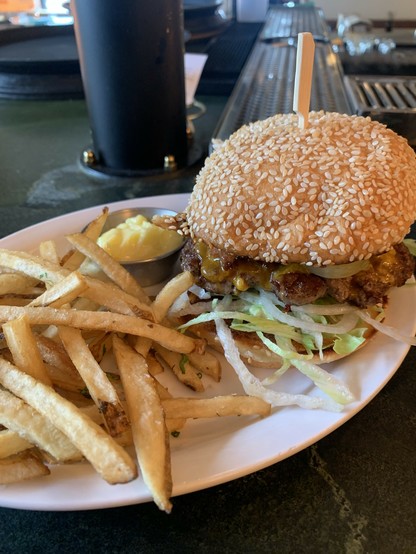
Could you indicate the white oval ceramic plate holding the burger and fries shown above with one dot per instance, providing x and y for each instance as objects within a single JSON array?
[{"x": 210, "y": 452}]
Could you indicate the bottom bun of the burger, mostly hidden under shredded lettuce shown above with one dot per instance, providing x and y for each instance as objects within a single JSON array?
[{"x": 255, "y": 353}]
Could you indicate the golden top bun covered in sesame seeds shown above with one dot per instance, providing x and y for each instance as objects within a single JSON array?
[{"x": 341, "y": 190}]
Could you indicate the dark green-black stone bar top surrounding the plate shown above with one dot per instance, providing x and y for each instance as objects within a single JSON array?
[{"x": 352, "y": 492}]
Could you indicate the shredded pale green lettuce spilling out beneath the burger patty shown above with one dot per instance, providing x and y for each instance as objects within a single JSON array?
[{"x": 294, "y": 335}]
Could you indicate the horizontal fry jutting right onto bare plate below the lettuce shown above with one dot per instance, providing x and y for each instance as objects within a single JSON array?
[{"x": 219, "y": 406}]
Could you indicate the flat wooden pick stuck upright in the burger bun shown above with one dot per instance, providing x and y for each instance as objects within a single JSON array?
[{"x": 303, "y": 78}]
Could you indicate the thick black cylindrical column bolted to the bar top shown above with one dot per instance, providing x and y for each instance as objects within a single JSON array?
[{"x": 132, "y": 64}]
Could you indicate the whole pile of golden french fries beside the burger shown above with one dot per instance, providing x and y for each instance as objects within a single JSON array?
[{"x": 61, "y": 317}]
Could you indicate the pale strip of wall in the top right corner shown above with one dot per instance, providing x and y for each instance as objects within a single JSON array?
[{"x": 370, "y": 9}]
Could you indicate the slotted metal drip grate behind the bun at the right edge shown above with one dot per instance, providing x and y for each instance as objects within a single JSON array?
[{"x": 390, "y": 100}]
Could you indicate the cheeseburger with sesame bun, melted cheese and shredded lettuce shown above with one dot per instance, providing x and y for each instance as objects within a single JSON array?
[{"x": 295, "y": 237}]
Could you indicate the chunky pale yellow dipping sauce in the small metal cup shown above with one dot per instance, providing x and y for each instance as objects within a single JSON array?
[{"x": 137, "y": 239}]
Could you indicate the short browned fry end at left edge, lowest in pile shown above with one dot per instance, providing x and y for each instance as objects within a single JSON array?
[{"x": 22, "y": 466}]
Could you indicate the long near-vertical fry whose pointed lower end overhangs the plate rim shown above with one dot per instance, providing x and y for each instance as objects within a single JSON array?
[{"x": 147, "y": 418}]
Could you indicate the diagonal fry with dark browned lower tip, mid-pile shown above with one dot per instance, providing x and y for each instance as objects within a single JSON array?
[{"x": 99, "y": 386}]
